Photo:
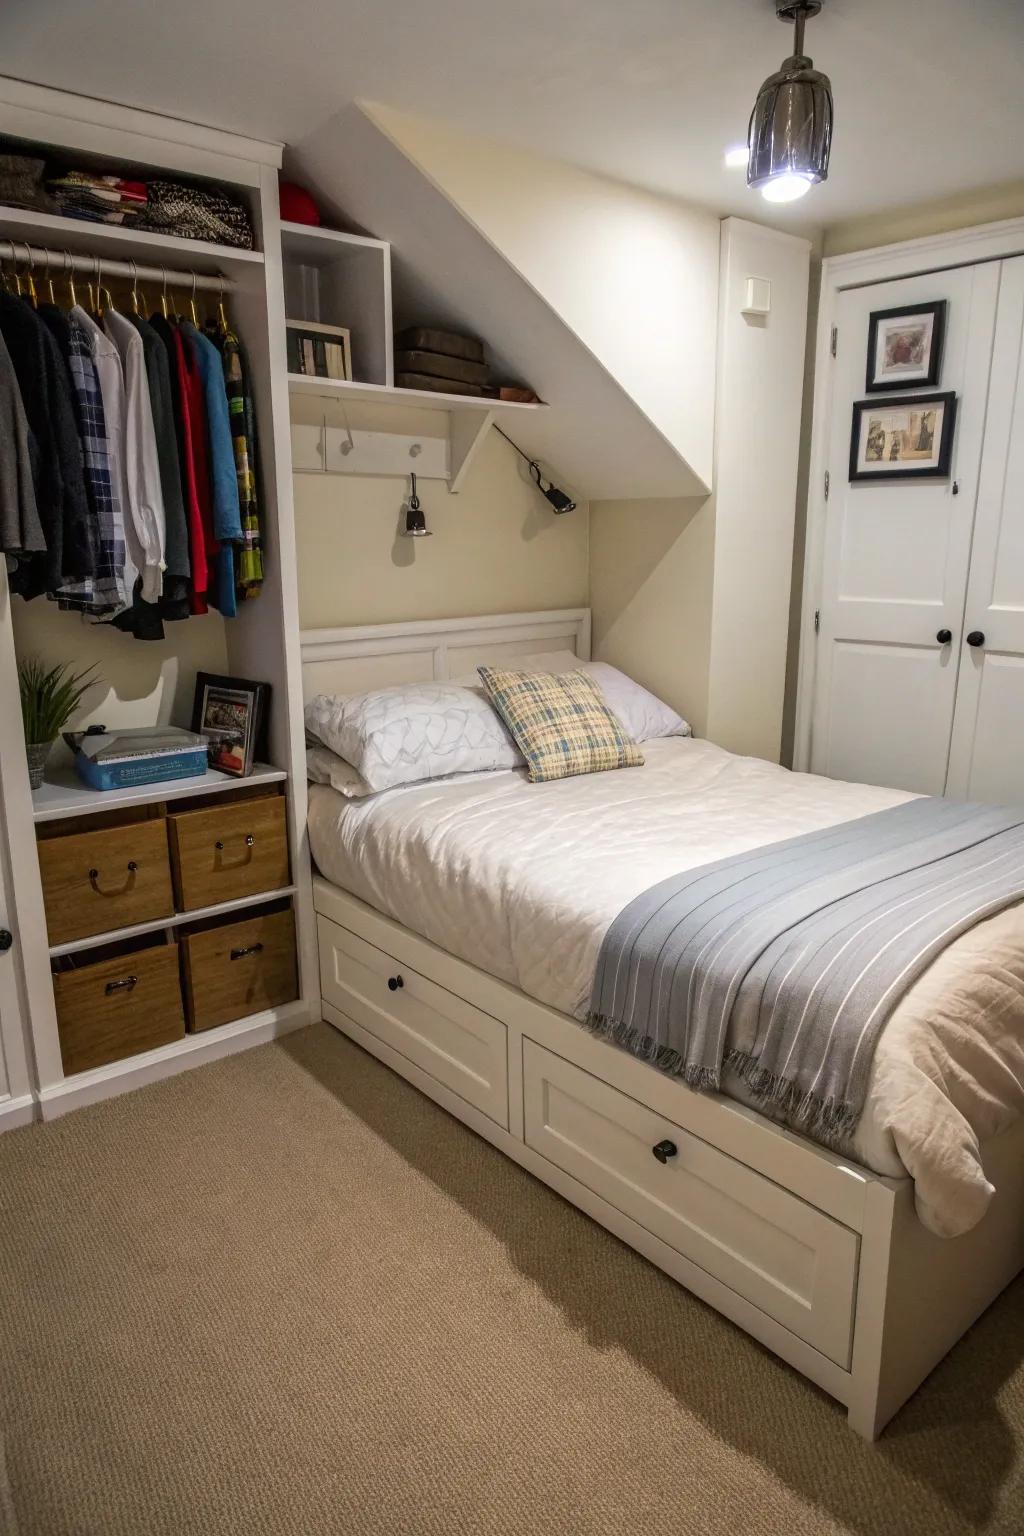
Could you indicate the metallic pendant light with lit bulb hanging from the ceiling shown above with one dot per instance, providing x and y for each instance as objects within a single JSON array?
[{"x": 791, "y": 125}]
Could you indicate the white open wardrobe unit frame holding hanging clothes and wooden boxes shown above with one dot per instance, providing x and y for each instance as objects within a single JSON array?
[{"x": 263, "y": 641}]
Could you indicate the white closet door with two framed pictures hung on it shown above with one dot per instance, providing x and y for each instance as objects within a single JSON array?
[{"x": 897, "y": 555}]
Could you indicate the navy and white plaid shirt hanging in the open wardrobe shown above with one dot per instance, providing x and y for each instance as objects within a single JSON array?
[{"x": 107, "y": 592}]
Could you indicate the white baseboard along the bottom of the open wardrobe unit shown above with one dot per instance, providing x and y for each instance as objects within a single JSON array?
[{"x": 180, "y": 1056}]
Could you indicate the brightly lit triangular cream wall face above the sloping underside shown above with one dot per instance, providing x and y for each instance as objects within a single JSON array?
[{"x": 635, "y": 276}]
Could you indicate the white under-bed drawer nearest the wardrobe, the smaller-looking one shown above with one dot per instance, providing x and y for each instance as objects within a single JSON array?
[{"x": 454, "y": 1042}]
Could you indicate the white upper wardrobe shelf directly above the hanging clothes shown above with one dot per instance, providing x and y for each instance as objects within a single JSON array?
[{"x": 82, "y": 237}]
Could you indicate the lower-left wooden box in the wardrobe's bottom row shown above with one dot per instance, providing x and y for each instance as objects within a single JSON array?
[{"x": 119, "y": 1007}]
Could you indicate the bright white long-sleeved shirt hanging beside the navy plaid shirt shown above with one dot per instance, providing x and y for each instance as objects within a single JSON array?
[{"x": 142, "y": 465}]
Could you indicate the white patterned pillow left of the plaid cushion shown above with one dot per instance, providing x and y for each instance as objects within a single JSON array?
[{"x": 414, "y": 732}]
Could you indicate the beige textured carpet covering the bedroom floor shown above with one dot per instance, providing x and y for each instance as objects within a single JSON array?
[{"x": 286, "y": 1294}]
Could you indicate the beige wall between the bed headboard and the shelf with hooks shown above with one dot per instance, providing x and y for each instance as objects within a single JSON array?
[{"x": 497, "y": 548}]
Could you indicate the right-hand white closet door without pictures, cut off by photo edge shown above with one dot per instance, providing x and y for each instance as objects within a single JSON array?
[{"x": 988, "y": 750}]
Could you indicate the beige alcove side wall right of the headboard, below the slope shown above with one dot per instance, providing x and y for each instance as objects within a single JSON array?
[{"x": 652, "y": 577}]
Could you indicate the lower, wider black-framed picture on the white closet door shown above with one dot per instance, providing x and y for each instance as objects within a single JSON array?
[{"x": 910, "y": 439}]
